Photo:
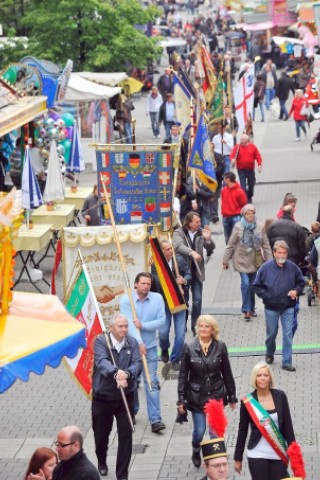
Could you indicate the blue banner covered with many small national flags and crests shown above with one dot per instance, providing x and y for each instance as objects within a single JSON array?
[{"x": 139, "y": 180}]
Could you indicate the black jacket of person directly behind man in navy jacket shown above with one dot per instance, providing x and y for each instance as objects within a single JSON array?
[{"x": 293, "y": 234}]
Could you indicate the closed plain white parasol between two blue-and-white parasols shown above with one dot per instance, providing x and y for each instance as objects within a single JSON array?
[{"x": 54, "y": 189}]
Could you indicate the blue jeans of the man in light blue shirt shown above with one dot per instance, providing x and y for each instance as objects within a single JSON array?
[{"x": 153, "y": 397}]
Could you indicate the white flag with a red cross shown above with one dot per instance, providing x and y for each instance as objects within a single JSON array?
[{"x": 243, "y": 98}]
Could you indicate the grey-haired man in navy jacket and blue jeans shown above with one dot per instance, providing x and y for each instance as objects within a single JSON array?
[{"x": 279, "y": 282}]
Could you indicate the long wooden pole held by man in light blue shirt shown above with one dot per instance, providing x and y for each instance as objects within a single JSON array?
[{"x": 125, "y": 274}]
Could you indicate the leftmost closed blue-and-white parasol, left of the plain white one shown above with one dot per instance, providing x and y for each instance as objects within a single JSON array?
[{"x": 31, "y": 194}]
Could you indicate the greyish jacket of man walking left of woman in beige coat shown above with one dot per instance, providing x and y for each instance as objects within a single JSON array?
[{"x": 184, "y": 246}]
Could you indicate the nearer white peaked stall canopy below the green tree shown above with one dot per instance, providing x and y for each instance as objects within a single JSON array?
[{"x": 80, "y": 90}]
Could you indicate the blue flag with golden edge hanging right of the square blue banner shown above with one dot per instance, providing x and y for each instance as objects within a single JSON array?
[{"x": 201, "y": 157}]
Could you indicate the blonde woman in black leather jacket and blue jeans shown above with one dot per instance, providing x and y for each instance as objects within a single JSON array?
[{"x": 205, "y": 373}]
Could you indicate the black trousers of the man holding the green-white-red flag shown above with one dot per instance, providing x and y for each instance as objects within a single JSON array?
[{"x": 103, "y": 413}]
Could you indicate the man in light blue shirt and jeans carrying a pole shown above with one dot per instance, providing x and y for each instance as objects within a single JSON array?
[{"x": 150, "y": 312}]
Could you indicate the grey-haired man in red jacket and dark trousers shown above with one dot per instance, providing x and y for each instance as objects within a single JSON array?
[{"x": 244, "y": 155}]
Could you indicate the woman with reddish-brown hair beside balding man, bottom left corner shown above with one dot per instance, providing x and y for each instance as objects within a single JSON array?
[{"x": 41, "y": 465}]
